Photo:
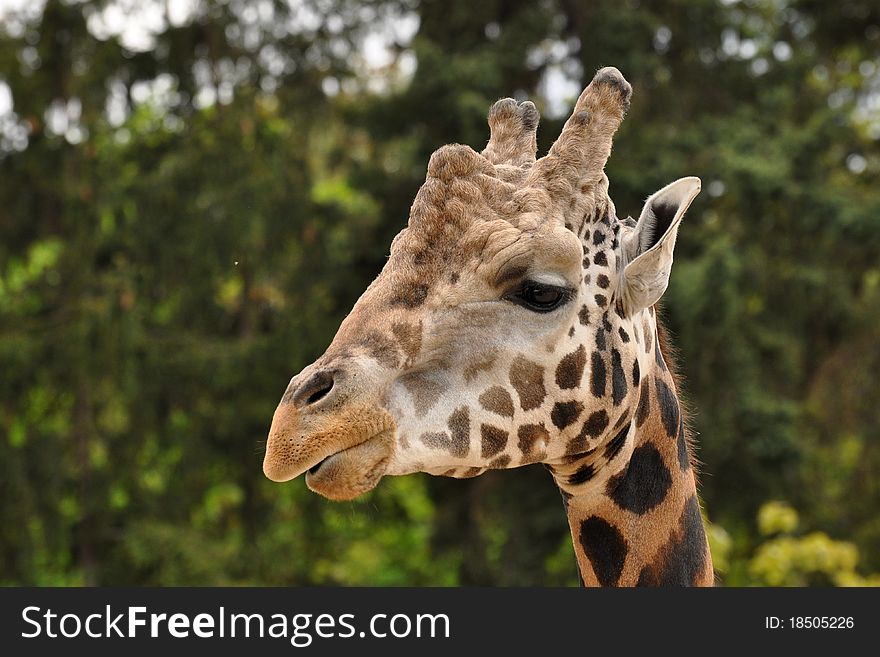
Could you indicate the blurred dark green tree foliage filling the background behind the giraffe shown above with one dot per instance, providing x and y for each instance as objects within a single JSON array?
[{"x": 184, "y": 221}]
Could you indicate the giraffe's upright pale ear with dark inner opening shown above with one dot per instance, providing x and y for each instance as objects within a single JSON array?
[{"x": 648, "y": 248}]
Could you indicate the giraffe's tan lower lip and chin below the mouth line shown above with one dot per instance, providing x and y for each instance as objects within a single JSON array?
[{"x": 353, "y": 471}]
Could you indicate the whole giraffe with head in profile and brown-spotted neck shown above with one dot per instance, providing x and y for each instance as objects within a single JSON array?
[{"x": 513, "y": 323}]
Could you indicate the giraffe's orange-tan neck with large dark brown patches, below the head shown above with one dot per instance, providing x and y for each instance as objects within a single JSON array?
[{"x": 637, "y": 521}]
